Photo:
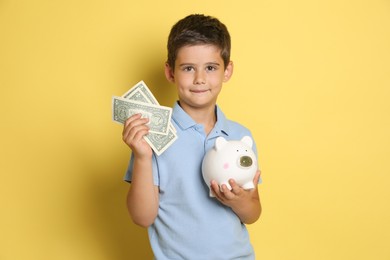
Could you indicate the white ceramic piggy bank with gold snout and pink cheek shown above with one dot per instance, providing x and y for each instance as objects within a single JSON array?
[{"x": 230, "y": 160}]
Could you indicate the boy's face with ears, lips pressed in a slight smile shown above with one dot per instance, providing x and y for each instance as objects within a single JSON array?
[{"x": 198, "y": 75}]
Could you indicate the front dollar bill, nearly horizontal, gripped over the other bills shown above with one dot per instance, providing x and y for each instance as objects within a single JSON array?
[{"x": 159, "y": 116}]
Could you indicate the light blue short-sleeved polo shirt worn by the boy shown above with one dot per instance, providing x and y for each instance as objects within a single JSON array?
[{"x": 190, "y": 224}]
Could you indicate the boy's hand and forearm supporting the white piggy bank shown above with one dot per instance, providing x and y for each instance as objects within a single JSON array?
[{"x": 245, "y": 203}]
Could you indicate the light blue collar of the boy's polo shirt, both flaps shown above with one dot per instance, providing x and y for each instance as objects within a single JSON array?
[{"x": 184, "y": 121}]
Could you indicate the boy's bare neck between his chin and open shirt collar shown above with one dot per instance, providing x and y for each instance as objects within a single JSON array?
[{"x": 205, "y": 116}]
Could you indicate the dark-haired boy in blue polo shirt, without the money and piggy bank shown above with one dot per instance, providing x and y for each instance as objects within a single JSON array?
[{"x": 167, "y": 192}]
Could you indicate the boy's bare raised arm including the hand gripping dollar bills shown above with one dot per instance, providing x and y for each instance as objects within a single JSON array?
[{"x": 142, "y": 198}]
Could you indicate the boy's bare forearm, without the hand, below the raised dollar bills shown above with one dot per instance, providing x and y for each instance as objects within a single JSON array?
[{"x": 142, "y": 199}]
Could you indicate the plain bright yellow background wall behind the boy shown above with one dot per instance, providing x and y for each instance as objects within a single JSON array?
[{"x": 311, "y": 81}]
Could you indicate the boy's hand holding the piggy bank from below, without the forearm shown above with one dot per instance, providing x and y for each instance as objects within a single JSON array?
[{"x": 237, "y": 196}]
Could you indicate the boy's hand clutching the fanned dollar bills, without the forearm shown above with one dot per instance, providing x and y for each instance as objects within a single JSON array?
[{"x": 134, "y": 130}]
